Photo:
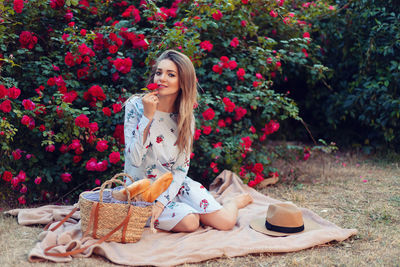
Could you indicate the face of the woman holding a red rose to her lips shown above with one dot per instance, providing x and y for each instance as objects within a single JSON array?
[{"x": 167, "y": 78}]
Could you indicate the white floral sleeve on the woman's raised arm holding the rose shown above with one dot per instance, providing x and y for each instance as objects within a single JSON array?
[{"x": 134, "y": 125}]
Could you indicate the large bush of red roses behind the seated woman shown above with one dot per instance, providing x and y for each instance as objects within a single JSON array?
[{"x": 68, "y": 66}]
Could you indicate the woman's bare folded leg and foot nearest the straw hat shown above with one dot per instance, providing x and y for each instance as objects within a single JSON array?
[{"x": 225, "y": 218}]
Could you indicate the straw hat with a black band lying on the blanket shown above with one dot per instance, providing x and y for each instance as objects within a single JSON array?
[{"x": 283, "y": 219}]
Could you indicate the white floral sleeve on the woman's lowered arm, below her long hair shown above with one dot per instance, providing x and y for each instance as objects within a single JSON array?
[{"x": 179, "y": 171}]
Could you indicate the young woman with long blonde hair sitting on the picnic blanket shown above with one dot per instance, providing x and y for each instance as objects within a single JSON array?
[{"x": 158, "y": 135}]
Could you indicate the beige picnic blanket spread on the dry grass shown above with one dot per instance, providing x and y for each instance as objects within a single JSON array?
[{"x": 169, "y": 249}]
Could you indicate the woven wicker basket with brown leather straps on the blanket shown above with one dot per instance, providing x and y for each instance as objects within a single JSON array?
[{"x": 99, "y": 218}]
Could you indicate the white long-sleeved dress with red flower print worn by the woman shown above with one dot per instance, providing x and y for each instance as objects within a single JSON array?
[{"x": 159, "y": 155}]
